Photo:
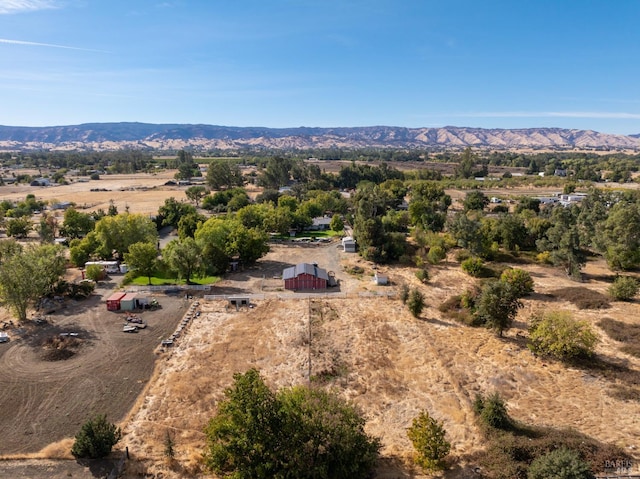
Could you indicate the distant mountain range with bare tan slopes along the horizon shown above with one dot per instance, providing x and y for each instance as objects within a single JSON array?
[{"x": 146, "y": 136}]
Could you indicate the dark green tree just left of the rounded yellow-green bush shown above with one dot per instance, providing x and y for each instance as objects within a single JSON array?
[{"x": 497, "y": 306}]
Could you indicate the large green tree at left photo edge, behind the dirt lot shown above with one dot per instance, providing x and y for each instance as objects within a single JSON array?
[{"x": 28, "y": 274}]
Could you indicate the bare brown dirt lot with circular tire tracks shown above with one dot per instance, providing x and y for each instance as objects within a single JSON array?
[{"x": 44, "y": 400}]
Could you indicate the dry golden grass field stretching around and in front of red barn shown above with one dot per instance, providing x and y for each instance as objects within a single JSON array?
[{"x": 388, "y": 363}]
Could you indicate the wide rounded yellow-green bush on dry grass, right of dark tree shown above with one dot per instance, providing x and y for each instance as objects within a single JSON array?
[{"x": 558, "y": 335}]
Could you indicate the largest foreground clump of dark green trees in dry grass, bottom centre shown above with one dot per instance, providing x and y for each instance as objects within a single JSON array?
[{"x": 298, "y": 432}]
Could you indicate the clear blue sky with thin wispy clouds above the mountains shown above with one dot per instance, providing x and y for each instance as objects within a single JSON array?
[{"x": 287, "y": 63}]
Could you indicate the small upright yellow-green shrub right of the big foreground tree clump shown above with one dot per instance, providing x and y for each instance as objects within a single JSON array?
[{"x": 428, "y": 438}]
